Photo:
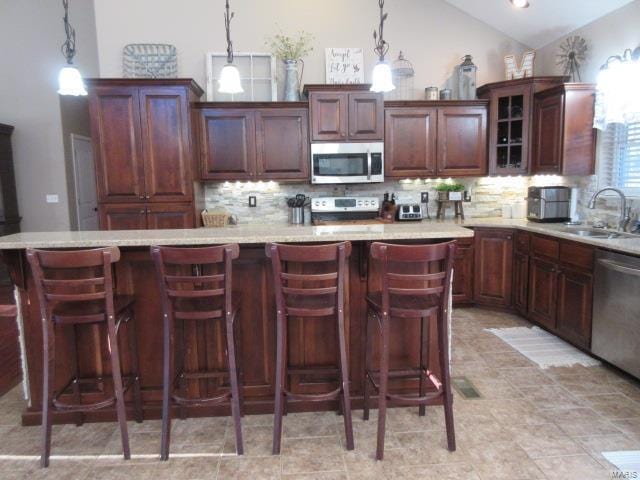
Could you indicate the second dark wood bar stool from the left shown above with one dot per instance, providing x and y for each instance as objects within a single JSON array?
[{"x": 193, "y": 289}]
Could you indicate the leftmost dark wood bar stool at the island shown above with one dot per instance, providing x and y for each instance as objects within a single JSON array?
[{"x": 75, "y": 289}]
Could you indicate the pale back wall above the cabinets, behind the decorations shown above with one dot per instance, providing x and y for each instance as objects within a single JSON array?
[{"x": 432, "y": 34}]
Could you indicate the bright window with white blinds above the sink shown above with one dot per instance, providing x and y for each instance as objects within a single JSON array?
[{"x": 619, "y": 158}]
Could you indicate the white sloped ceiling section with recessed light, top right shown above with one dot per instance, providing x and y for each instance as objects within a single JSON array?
[{"x": 543, "y": 22}]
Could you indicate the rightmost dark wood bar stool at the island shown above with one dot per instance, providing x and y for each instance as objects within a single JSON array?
[{"x": 410, "y": 296}]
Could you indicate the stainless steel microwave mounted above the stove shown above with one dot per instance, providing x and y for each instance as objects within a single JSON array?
[{"x": 347, "y": 162}]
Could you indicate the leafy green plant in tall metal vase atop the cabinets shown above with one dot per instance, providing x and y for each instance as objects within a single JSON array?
[{"x": 291, "y": 49}]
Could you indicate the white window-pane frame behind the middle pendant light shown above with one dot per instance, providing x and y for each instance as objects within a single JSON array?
[{"x": 257, "y": 75}]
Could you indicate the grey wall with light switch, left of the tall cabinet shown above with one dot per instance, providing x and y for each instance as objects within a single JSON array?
[{"x": 31, "y": 33}]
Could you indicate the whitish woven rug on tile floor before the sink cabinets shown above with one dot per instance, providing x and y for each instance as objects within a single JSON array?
[{"x": 542, "y": 347}]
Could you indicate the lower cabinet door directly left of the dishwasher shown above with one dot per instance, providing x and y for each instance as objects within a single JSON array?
[{"x": 575, "y": 293}]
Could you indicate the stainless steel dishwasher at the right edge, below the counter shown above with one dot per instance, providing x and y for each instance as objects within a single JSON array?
[{"x": 616, "y": 310}]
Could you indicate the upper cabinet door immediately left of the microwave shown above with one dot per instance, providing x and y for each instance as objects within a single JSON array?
[{"x": 282, "y": 143}]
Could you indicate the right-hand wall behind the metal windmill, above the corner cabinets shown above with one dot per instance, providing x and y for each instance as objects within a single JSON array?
[{"x": 607, "y": 36}]
